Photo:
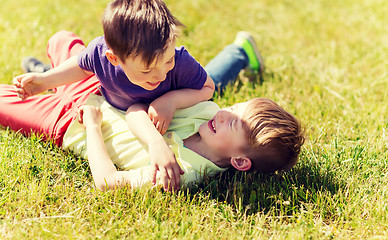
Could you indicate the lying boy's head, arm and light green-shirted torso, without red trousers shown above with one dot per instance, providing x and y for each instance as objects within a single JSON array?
[{"x": 257, "y": 135}]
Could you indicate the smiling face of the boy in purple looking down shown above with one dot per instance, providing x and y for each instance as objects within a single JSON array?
[{"x": 150, "y": 77}]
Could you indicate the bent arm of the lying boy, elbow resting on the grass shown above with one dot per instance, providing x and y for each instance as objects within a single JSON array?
[{"x": 105, "y": 174}]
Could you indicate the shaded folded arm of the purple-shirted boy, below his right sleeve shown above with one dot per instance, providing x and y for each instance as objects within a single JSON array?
[{"x": 162, "y": 109}]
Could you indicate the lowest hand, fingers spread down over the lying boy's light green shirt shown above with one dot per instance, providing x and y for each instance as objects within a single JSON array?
[{"x": 163, "y": 159}]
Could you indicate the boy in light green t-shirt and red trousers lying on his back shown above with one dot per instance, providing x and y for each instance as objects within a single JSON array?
[{"x": 257, "y": 135}]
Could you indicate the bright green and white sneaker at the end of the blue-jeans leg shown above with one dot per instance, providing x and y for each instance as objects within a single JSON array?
[{"x": 256, "y": 61}]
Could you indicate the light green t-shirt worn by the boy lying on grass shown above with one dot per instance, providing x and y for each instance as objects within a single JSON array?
[{"x": 129, "y": 153}]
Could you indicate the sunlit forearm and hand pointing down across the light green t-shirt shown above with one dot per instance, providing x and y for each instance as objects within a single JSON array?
[{"x": 161, "y": 156}]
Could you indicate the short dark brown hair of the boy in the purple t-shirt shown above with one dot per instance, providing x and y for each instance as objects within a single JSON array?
[{"x": 139, "y": 28}]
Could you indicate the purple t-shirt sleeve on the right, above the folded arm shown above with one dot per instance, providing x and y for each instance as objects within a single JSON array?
[{"x": 189, "y": 72}]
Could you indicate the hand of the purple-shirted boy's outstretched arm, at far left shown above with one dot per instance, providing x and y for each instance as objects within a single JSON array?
[{"x": 29, "y": 84}]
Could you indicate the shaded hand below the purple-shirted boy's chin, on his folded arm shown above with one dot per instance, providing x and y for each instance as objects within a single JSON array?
[{"x": 161, "y": 111}]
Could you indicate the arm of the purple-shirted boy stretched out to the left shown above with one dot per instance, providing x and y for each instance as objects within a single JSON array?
[{"x": 30, "y": 84}]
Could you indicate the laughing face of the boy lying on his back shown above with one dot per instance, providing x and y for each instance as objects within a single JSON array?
[{"x": 226, "y": 134}]
